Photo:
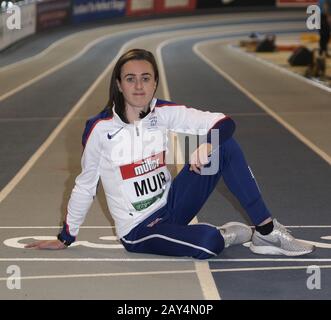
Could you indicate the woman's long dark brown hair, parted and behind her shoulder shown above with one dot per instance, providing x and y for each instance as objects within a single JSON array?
[{"x": 115, "y": 96}]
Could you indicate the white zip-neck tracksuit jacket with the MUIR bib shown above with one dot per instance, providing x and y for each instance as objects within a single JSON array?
[{"x": 129, "y": 160}]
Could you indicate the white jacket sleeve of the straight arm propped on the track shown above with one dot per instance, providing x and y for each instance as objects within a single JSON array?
[{"x": 85, "y": 187}]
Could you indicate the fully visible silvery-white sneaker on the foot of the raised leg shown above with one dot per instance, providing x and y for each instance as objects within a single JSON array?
[{"x": 279, "y": 242}]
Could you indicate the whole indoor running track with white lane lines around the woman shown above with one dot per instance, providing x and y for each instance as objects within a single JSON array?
[{"x": 282, "y": 125}]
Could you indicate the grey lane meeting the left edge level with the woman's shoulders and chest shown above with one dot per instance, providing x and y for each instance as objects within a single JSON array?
[{"x": 41, "y": 120}]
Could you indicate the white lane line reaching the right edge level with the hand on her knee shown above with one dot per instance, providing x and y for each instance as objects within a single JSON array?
[{"x": 263, "y": 106}]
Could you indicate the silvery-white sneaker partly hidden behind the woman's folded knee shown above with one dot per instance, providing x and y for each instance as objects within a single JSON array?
[{"x": 235, "y": 233}]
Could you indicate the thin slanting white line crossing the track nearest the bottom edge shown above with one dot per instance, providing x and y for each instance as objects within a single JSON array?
[{"x": 151, "y": 273}]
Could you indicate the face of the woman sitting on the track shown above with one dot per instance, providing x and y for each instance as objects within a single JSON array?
[{"x": 137, "y": 83}]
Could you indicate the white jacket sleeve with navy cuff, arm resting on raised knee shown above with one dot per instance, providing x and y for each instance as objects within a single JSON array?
[{"x": 181, "y": 119}]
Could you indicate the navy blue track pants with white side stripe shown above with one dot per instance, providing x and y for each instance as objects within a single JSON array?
[{"x": 166, "y": 232}]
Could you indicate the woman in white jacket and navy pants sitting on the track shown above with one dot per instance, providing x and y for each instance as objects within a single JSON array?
[{"x": 125, "y": 147}]
